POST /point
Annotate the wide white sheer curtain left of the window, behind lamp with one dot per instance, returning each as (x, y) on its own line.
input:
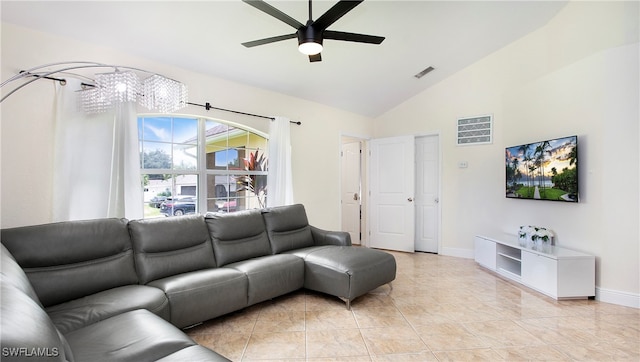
(96, 161)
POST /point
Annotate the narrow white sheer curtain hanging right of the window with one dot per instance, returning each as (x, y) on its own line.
(280, 179)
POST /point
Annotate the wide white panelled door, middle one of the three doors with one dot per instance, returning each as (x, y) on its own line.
(391, 186)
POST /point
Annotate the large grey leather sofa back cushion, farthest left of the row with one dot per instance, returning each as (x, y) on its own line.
(72, 259)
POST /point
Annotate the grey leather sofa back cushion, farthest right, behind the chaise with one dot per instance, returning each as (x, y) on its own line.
(287, 227)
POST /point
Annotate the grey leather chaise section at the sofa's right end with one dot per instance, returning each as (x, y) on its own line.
(348, 272)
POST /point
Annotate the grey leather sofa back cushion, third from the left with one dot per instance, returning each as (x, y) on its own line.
(237, 236)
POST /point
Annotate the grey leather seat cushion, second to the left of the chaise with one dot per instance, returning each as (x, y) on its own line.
(204, 294)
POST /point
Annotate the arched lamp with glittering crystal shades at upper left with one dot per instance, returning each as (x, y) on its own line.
(106, 90)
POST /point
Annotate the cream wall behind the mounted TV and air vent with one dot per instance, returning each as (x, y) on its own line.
(576, 75)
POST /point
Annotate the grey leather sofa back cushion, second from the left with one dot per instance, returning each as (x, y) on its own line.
(170, 246)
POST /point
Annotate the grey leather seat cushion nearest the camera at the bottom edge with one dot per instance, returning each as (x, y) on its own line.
(137, 336)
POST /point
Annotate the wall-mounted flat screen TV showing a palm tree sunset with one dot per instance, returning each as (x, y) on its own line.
(546, 170)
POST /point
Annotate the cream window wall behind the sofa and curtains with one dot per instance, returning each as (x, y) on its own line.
(27, 127)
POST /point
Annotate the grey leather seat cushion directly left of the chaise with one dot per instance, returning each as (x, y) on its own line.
(271, 276)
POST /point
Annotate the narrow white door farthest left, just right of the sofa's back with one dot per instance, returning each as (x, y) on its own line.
(351, 194)
